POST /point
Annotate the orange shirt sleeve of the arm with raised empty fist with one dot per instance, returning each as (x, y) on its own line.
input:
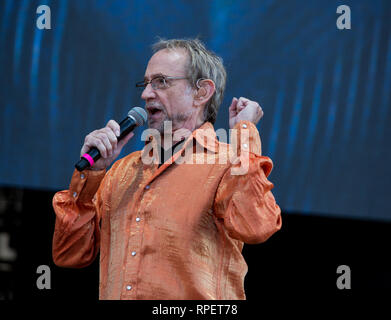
(244, 201)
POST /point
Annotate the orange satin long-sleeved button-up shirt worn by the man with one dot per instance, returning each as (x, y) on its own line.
(173, 232)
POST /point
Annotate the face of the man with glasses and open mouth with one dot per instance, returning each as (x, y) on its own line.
(174, 103)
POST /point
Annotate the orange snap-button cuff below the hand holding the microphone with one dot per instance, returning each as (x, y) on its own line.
(85, 184)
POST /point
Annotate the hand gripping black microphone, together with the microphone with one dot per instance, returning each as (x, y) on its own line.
(101, 147)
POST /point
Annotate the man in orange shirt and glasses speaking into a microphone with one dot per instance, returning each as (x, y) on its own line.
(167, 230)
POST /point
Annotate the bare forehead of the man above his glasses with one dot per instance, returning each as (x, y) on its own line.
(167, 62)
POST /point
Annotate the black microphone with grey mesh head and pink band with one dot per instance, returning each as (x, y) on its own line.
(136, 117)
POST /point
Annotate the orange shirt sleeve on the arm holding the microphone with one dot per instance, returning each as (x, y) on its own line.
(78, 211)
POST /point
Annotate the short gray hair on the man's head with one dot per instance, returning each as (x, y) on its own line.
(204, 64)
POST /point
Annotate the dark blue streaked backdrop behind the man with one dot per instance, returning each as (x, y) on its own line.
(325, 92)
